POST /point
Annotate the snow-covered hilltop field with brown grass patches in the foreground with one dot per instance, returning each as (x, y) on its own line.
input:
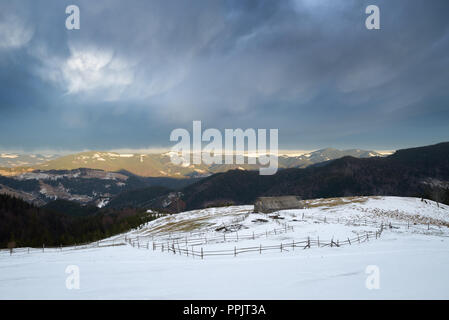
(411, 256)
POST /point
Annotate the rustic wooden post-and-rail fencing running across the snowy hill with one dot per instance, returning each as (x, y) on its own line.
(181, 243)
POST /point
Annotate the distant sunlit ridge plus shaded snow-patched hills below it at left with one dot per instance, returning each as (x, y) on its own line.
(95, 178)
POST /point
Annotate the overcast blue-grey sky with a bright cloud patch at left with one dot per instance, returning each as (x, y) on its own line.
(136, 70)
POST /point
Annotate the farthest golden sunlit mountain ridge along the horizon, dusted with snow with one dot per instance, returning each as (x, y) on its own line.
(157, 165)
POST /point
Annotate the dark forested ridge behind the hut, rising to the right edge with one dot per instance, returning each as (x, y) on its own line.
(422, 172)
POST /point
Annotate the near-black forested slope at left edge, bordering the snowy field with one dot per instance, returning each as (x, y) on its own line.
(23, 224)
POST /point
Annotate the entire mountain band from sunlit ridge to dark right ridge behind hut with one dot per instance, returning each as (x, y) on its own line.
(420, 171)
